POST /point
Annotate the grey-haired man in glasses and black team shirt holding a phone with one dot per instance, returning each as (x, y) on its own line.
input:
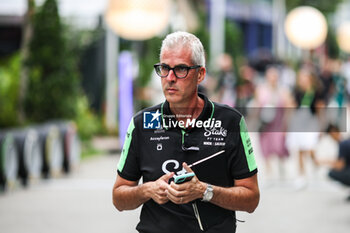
(162, 140)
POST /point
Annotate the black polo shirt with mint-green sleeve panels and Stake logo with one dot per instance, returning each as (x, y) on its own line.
(156, 143)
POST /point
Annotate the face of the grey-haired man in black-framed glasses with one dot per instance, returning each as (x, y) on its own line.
(180, 91)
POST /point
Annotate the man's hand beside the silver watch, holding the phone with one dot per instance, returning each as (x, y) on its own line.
(186, 192)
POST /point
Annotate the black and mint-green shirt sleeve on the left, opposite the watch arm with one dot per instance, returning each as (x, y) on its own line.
(128, 166)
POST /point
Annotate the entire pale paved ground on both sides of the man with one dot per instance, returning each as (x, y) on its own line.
(82, 202)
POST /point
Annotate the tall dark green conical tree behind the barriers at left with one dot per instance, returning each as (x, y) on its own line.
(54, 78)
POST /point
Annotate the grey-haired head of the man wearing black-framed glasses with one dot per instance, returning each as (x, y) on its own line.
(182, 64)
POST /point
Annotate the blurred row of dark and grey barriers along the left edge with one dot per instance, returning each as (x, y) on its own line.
(40, 151)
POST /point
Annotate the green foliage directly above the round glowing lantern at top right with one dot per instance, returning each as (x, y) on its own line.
(325, 6)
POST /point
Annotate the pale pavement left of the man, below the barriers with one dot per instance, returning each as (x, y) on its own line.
(80, 202)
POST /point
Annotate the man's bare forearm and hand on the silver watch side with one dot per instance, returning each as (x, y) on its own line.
(244, 196)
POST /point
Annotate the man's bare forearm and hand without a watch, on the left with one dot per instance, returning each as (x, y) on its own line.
(128, 195)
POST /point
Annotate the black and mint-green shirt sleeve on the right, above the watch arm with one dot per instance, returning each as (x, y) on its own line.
(243, 163)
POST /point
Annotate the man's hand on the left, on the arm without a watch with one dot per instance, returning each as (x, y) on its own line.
(157, 189)
